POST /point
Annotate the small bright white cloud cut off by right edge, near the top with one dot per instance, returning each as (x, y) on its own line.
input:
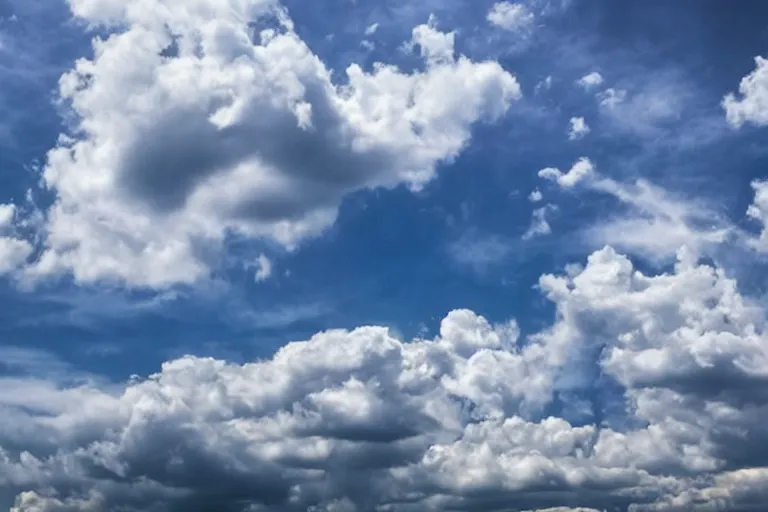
(751, 105)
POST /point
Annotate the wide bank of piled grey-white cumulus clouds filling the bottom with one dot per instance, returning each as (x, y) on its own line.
(359, 420)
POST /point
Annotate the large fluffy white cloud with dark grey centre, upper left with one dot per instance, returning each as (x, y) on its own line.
(190, 123)
